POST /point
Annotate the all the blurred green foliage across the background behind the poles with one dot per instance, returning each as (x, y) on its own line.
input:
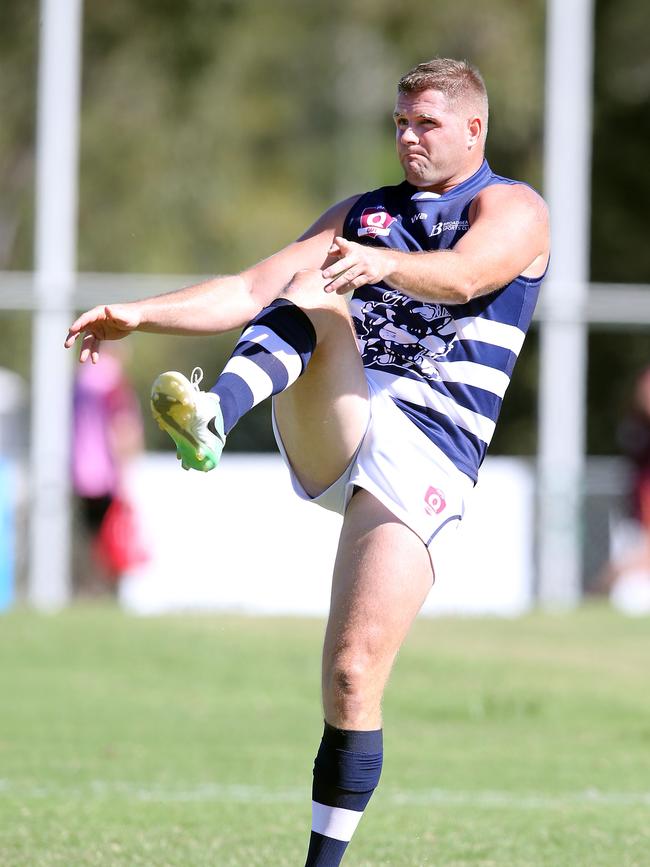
(214, 132)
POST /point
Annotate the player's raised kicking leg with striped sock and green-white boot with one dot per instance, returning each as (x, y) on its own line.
(300, 348)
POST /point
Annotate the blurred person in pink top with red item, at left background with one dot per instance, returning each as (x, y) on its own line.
(107, 435)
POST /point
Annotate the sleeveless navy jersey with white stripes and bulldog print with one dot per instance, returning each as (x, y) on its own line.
(446, 366)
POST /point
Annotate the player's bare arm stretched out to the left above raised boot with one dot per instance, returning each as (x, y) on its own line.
(216, 305)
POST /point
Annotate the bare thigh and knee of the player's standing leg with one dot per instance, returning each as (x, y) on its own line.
(381, 578)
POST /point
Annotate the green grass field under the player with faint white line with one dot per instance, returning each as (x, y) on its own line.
(189, 741)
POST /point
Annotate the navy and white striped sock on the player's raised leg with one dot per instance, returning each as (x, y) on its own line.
(272, 352)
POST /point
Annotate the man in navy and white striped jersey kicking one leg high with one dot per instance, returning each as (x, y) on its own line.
(384, 405)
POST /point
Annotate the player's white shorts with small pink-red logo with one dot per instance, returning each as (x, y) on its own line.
(403, 469)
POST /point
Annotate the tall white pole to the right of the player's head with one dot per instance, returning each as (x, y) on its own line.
(563, 347)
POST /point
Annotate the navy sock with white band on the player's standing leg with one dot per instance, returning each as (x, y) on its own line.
(346, 773)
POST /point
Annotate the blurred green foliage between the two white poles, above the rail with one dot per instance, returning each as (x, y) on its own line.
(214, 132)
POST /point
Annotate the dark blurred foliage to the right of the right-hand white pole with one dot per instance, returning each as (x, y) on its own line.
(620, 193)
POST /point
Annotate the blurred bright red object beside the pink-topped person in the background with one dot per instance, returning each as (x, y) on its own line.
(119, 545)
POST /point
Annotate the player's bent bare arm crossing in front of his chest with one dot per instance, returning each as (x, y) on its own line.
(508, 236)
